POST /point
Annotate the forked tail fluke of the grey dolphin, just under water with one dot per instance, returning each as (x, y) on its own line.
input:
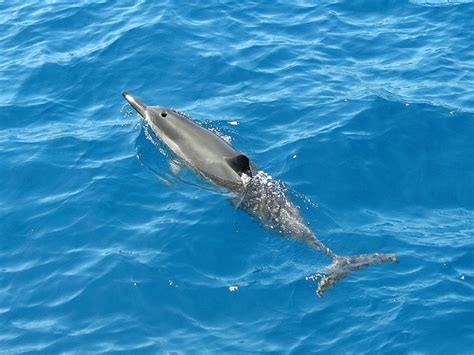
(342, 266)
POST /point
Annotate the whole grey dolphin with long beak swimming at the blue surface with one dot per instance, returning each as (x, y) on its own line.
(213, 158)
